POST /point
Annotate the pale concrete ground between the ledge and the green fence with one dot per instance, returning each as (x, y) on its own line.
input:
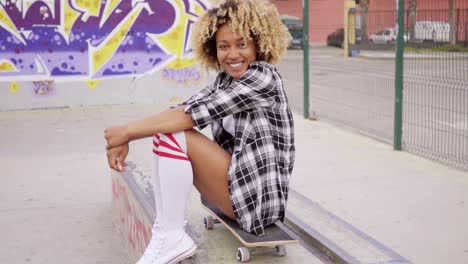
(416, 207)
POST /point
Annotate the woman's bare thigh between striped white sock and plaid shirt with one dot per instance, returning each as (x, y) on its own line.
(210, 164)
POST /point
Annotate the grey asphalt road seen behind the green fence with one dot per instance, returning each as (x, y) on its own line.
(359, 93)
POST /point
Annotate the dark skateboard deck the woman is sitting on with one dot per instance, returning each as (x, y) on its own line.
(274, 235)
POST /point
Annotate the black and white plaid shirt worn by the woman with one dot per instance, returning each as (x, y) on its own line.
(263, 147)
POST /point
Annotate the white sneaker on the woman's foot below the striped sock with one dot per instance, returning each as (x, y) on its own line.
(168, 247)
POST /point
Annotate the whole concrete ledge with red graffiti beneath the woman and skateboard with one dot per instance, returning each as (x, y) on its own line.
(324, 237)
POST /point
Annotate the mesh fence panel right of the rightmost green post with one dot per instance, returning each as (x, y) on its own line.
(435, 110)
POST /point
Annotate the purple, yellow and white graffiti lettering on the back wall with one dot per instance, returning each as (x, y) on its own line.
(92, 39)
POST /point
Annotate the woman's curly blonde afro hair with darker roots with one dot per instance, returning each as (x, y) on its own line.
(254, 19)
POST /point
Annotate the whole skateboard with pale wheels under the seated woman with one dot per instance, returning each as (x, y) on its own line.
(275, 237)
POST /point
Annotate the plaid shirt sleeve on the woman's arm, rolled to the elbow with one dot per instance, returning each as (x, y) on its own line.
(255, 89)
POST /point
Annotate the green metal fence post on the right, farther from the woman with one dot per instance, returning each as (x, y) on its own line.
(400, 45)
